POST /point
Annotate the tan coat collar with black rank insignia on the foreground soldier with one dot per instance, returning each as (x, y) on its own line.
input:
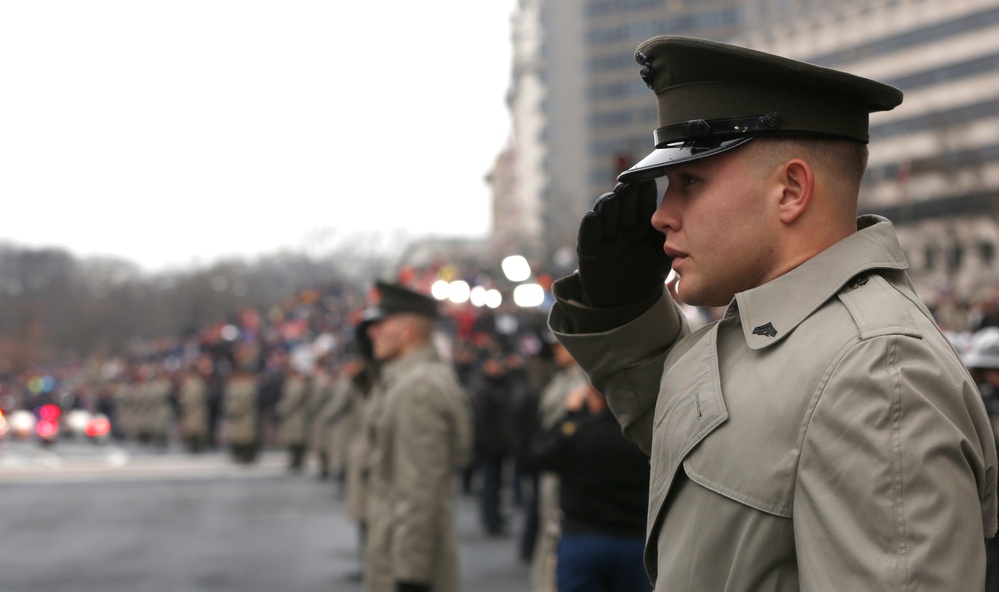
(770, 312)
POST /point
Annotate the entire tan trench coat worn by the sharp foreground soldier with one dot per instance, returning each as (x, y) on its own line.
(823, 435)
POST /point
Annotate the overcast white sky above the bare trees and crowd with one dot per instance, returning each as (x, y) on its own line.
(173, 133)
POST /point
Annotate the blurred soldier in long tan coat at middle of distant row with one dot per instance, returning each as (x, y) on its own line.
(239, 406)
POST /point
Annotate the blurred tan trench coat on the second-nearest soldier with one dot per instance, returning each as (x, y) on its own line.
(421, 435)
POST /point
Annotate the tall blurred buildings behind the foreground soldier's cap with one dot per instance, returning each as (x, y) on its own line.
(581, 114)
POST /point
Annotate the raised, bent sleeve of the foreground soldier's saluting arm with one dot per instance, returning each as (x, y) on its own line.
(624, 363)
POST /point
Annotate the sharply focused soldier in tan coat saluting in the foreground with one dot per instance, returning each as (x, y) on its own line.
(823, 434)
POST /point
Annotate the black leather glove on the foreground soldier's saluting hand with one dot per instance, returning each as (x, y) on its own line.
(621, 258)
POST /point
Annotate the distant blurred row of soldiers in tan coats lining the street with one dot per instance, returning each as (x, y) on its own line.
(152, 406)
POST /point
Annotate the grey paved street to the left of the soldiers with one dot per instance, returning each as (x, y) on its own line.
(85, 518)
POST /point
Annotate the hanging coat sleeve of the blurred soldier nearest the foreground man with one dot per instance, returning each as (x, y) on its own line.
(424, 458)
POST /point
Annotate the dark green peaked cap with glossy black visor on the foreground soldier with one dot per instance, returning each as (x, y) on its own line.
(712, 97)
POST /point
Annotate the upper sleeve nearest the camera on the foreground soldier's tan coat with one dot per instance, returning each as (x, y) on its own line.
(896, 480)
